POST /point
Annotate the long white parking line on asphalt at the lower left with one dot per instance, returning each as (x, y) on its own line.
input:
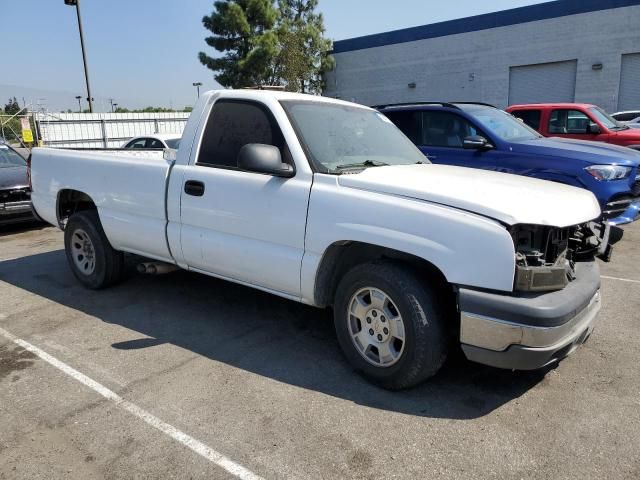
(200, 448)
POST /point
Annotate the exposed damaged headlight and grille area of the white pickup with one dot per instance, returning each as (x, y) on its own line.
(546, 256)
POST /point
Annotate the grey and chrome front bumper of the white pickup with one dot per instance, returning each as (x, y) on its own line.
(529, 331)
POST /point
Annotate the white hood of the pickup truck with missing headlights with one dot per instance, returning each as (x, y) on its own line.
(510, 199)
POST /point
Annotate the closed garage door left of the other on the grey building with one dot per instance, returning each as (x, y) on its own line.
(543, 83)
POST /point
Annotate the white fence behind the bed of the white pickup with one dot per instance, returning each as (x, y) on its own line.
(103, 130)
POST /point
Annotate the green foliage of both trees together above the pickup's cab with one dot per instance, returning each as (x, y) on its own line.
(263, 44)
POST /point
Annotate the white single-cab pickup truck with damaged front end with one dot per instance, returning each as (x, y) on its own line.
(327, 203)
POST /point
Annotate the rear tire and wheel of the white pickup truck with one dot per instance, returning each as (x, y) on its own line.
(91, 257)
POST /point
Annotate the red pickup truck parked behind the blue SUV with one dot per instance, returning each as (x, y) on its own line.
(576, 120)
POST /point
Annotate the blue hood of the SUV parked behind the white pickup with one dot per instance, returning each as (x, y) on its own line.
(591, 152)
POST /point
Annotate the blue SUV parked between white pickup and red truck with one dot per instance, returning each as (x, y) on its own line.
(481, 136)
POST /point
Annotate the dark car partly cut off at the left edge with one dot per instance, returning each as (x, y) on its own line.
(15, 193)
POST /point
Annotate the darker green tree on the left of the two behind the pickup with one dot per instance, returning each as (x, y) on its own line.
(243, 31)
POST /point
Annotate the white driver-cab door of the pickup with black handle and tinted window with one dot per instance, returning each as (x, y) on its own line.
(241, 225)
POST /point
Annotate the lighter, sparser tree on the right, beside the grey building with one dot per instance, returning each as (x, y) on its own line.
(303, 52)
